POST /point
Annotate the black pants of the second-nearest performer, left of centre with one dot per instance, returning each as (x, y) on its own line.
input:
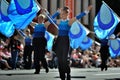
(39, 45)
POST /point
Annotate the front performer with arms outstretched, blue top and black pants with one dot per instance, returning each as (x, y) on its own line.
(62, 43)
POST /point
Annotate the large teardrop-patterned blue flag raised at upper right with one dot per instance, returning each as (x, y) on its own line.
(105, 22)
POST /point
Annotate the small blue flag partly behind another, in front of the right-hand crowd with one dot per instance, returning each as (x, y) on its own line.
(86, 43)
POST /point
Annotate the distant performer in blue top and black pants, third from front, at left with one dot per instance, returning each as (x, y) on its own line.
(27, 56)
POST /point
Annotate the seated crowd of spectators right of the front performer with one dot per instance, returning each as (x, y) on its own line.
(91, 58)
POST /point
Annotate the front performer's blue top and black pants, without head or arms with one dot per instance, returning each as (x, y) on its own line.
(61, 49)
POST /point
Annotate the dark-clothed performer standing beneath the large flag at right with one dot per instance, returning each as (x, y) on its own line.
(104, 54)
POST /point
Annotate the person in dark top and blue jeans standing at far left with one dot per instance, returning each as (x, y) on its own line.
(14, 46)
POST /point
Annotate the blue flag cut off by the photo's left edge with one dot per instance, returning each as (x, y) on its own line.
(6, 26)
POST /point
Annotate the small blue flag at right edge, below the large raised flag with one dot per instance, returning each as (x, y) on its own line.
(114, 47)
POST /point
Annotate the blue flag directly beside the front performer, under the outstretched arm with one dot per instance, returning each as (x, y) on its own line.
(77, 34)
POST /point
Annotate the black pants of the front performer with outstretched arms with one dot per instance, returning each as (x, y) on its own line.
(62, 51)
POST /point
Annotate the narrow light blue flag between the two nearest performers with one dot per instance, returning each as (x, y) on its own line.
(50, 39)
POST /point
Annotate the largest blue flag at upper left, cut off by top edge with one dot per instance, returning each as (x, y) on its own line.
(22, 12)
